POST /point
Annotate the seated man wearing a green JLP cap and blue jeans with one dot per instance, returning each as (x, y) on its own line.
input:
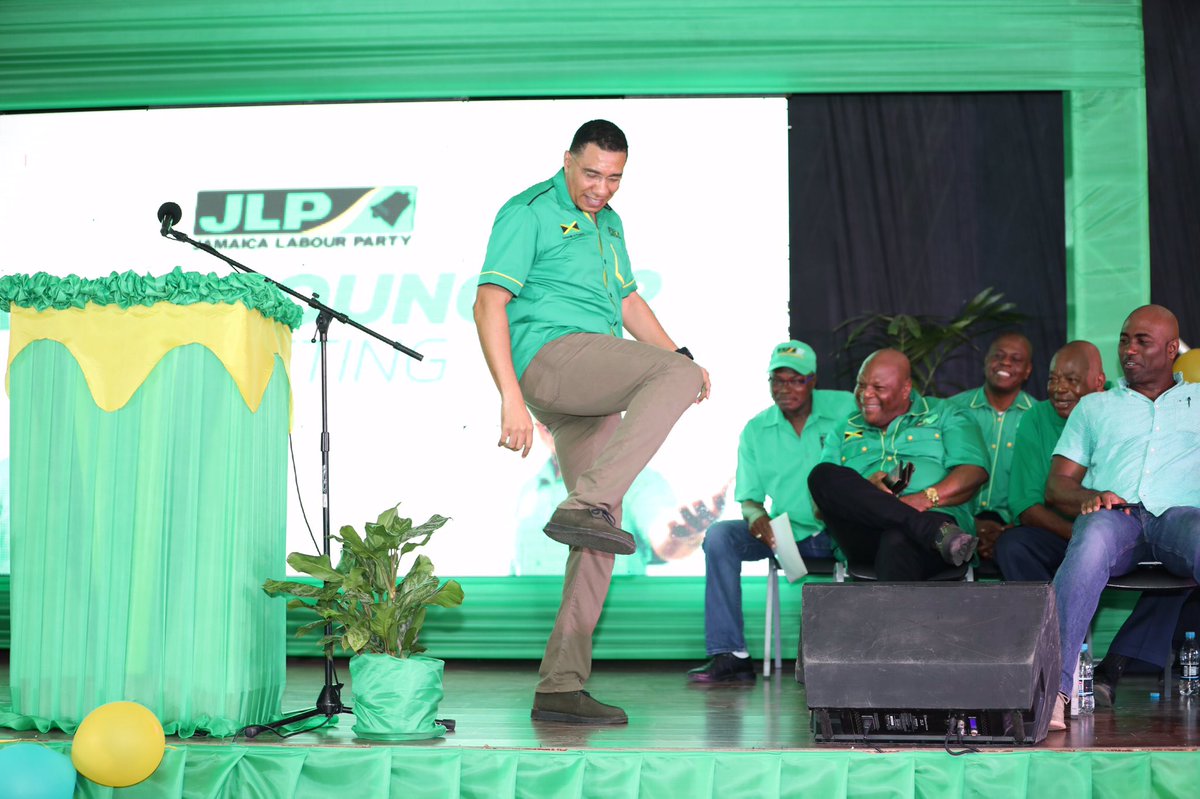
(776, 453)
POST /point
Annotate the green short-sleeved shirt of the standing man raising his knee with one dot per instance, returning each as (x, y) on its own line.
(567, 272)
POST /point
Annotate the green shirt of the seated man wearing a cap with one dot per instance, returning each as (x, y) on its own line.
(775, 462)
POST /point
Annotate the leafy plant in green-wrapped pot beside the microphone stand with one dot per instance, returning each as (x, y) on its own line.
(379, 617)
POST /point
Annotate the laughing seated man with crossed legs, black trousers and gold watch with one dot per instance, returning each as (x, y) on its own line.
(914, 536)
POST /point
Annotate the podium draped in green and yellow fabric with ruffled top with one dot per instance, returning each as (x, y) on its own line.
(149, 456)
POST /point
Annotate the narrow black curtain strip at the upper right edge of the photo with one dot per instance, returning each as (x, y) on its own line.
(1173, 106)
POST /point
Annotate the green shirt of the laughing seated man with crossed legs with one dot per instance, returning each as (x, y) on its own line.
(934, 436)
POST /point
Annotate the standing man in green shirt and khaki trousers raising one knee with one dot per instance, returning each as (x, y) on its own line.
(555, 293)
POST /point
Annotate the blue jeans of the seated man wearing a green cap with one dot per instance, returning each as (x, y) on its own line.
(727, 546)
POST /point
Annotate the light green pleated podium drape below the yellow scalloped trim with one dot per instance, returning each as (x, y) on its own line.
(146, 536)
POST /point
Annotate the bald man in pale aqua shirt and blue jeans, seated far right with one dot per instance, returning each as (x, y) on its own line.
(1129, 464)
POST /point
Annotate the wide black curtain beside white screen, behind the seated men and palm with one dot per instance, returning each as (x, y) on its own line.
(915, 203)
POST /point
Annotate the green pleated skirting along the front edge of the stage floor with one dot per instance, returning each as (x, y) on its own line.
(202, 772)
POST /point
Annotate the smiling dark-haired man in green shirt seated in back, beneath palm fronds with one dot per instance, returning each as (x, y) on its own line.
(998, 407)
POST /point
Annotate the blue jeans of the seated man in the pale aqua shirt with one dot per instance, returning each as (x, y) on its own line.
(1112, 543)
